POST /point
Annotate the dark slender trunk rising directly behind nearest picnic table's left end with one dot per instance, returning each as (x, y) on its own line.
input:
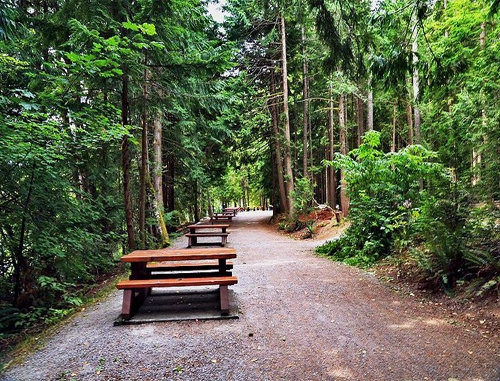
(129, 216)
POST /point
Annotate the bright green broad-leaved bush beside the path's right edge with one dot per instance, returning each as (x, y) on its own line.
(384, 190)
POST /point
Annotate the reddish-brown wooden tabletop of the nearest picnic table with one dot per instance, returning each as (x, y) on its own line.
(179, 254)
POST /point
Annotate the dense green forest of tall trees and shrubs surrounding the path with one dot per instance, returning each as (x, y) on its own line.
(120, 121)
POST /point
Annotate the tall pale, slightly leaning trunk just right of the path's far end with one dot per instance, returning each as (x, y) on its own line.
(287, 140)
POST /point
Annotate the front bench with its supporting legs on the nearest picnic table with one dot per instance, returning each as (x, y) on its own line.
(132, 286)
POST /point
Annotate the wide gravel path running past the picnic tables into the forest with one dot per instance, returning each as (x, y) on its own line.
(301, 318)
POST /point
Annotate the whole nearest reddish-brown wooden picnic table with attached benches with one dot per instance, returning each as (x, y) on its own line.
(141, 281)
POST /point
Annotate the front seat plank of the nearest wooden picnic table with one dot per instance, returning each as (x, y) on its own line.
(180, 282)
